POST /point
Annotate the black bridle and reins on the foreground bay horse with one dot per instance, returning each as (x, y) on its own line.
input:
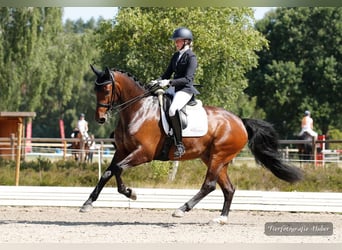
(119, 107)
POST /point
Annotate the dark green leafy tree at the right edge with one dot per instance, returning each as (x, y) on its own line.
(302, 70)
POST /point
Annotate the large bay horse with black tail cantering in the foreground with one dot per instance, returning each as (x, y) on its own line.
(139, 138)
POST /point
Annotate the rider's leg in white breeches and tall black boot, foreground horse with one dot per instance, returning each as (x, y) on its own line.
(180, 99)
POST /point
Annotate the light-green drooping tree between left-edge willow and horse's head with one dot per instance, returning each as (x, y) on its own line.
(71, 91)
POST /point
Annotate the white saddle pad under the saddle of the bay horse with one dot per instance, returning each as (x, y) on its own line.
(197, 121)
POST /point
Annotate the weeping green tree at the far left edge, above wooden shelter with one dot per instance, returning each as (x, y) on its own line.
(26, 71)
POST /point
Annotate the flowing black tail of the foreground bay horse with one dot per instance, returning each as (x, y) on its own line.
(263, 142)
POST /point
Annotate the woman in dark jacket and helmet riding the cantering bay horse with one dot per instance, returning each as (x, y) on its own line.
(183, 65)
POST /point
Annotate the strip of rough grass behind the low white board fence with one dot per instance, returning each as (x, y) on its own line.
(190, 174)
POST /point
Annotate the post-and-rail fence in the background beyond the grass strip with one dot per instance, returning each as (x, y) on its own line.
(57, 148)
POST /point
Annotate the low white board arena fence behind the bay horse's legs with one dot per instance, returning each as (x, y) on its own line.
(171, 199)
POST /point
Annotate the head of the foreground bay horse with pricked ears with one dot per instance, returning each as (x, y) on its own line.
(105, 93)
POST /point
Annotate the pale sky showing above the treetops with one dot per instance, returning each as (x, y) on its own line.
(86, 13)
